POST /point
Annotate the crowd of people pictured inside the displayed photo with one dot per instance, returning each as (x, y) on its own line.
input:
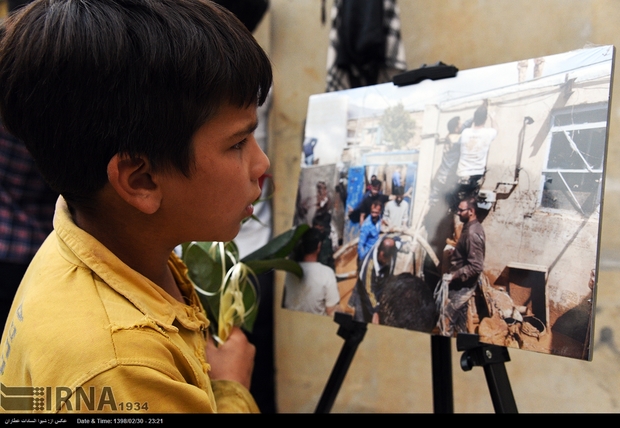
(437, 300)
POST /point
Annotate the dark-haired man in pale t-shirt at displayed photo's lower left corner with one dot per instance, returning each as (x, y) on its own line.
(317, 291)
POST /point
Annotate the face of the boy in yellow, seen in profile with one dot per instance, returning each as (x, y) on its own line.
(212, 202)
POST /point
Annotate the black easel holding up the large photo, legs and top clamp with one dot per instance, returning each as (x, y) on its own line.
(490, 357)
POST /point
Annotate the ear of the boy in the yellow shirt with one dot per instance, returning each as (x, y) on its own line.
(132, 179)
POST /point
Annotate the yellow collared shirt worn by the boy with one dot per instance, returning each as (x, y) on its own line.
(88, 333)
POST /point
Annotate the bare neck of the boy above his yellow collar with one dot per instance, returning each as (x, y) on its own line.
(134, 238)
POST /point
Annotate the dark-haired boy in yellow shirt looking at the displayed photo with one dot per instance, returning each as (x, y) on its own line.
(140, 113)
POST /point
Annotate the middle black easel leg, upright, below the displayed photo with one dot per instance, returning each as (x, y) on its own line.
(441, 356)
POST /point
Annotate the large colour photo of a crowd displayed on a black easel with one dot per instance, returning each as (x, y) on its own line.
(464, 205)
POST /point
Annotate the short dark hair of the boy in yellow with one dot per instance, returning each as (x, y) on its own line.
(83, 80)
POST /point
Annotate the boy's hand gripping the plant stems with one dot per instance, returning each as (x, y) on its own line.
(232, 360)
